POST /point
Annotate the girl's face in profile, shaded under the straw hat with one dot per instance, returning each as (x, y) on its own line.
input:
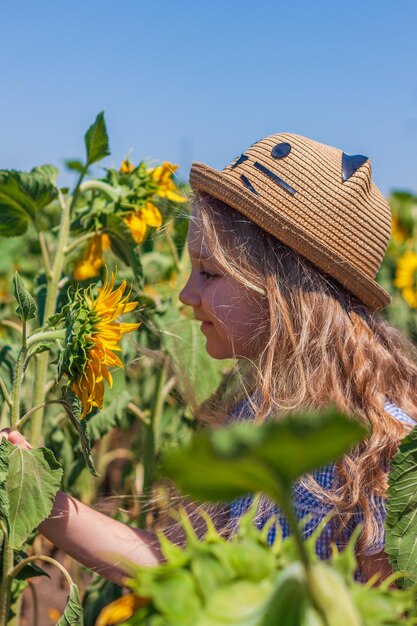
(231, 314)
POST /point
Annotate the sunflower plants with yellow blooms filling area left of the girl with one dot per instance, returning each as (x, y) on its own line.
(97, 357)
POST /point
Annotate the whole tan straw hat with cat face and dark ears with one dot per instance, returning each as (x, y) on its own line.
(317, 200)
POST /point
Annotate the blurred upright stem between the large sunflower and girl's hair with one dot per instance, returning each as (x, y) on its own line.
(149, 457)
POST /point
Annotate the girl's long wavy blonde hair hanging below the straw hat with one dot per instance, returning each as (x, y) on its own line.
(324, 347)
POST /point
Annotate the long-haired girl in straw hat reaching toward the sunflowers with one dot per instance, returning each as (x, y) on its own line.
(285, 244)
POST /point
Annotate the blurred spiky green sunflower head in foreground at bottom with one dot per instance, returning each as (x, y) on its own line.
(242, 581)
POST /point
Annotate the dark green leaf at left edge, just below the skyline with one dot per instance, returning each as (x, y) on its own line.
(22, 195)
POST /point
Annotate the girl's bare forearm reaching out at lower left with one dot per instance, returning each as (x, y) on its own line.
(96, 540)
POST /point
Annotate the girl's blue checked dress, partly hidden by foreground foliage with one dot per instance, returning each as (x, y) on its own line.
(306, 503)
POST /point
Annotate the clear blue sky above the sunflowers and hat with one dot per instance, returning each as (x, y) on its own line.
(190, 80)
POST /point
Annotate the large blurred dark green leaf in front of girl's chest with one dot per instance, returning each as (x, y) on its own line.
(244, 458)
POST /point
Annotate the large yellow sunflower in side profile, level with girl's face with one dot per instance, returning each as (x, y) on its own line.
(94, 339)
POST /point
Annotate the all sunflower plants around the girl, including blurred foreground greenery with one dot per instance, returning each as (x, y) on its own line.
(102, 369)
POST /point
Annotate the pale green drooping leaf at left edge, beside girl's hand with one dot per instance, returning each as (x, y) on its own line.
(33, 479)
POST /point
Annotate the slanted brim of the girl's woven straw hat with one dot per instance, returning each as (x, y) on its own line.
(217, 184)
